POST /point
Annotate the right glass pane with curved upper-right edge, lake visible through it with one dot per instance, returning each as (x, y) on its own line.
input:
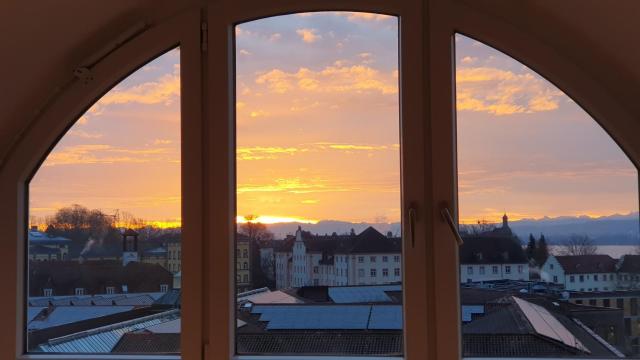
(549, 215)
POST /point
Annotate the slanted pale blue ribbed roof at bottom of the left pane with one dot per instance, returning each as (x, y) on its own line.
(103, 339)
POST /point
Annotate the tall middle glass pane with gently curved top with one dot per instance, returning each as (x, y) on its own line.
(318, 253)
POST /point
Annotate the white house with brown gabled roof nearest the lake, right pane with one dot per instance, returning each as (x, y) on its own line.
(581, 272)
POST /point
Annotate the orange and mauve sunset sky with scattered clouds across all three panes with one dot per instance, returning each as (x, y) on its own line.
(317, 126)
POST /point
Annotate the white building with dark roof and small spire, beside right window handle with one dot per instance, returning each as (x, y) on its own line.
(493, 255)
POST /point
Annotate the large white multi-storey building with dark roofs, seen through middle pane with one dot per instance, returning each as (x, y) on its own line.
(367, 258)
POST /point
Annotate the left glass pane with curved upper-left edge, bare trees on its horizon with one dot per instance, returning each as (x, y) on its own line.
(104, 216)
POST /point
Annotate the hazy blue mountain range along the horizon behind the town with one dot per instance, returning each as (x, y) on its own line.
(607, 230)
